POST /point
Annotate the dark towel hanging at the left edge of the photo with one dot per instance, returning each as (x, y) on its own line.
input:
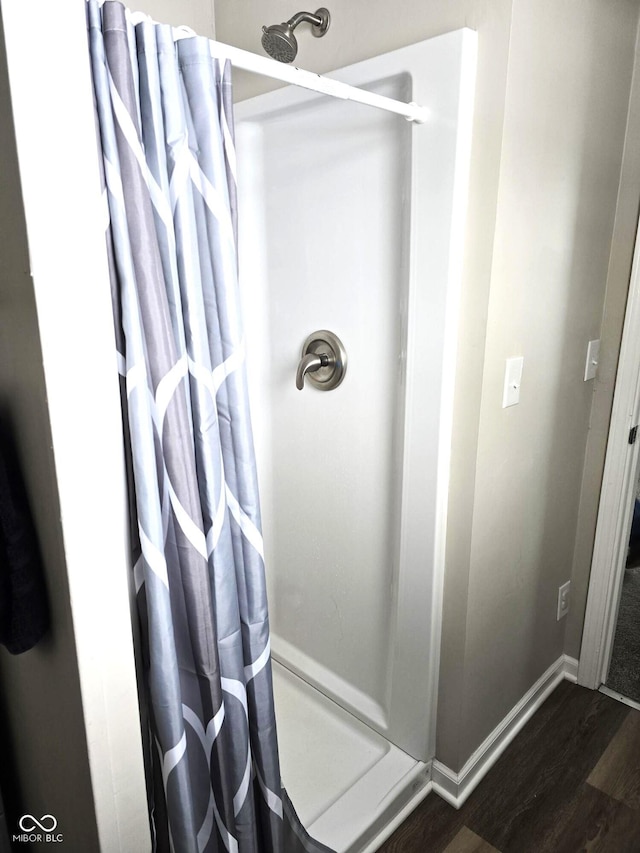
(24, 613)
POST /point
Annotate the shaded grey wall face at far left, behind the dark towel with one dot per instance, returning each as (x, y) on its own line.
(40, 689)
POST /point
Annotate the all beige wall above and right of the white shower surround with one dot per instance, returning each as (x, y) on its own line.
(552, 97)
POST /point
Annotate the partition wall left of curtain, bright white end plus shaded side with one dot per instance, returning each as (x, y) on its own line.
(70, 742)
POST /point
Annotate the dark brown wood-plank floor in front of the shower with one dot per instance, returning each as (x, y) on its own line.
(569, 782)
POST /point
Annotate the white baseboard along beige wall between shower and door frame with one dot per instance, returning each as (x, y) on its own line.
(456, 787)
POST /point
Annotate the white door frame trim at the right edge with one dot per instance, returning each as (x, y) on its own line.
(616, 500)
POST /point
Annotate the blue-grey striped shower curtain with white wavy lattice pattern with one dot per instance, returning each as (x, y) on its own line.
(166, 132)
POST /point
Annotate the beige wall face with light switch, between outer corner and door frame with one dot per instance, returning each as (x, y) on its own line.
(568, 89)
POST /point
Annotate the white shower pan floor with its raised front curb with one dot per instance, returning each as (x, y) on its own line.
(347, 783)
